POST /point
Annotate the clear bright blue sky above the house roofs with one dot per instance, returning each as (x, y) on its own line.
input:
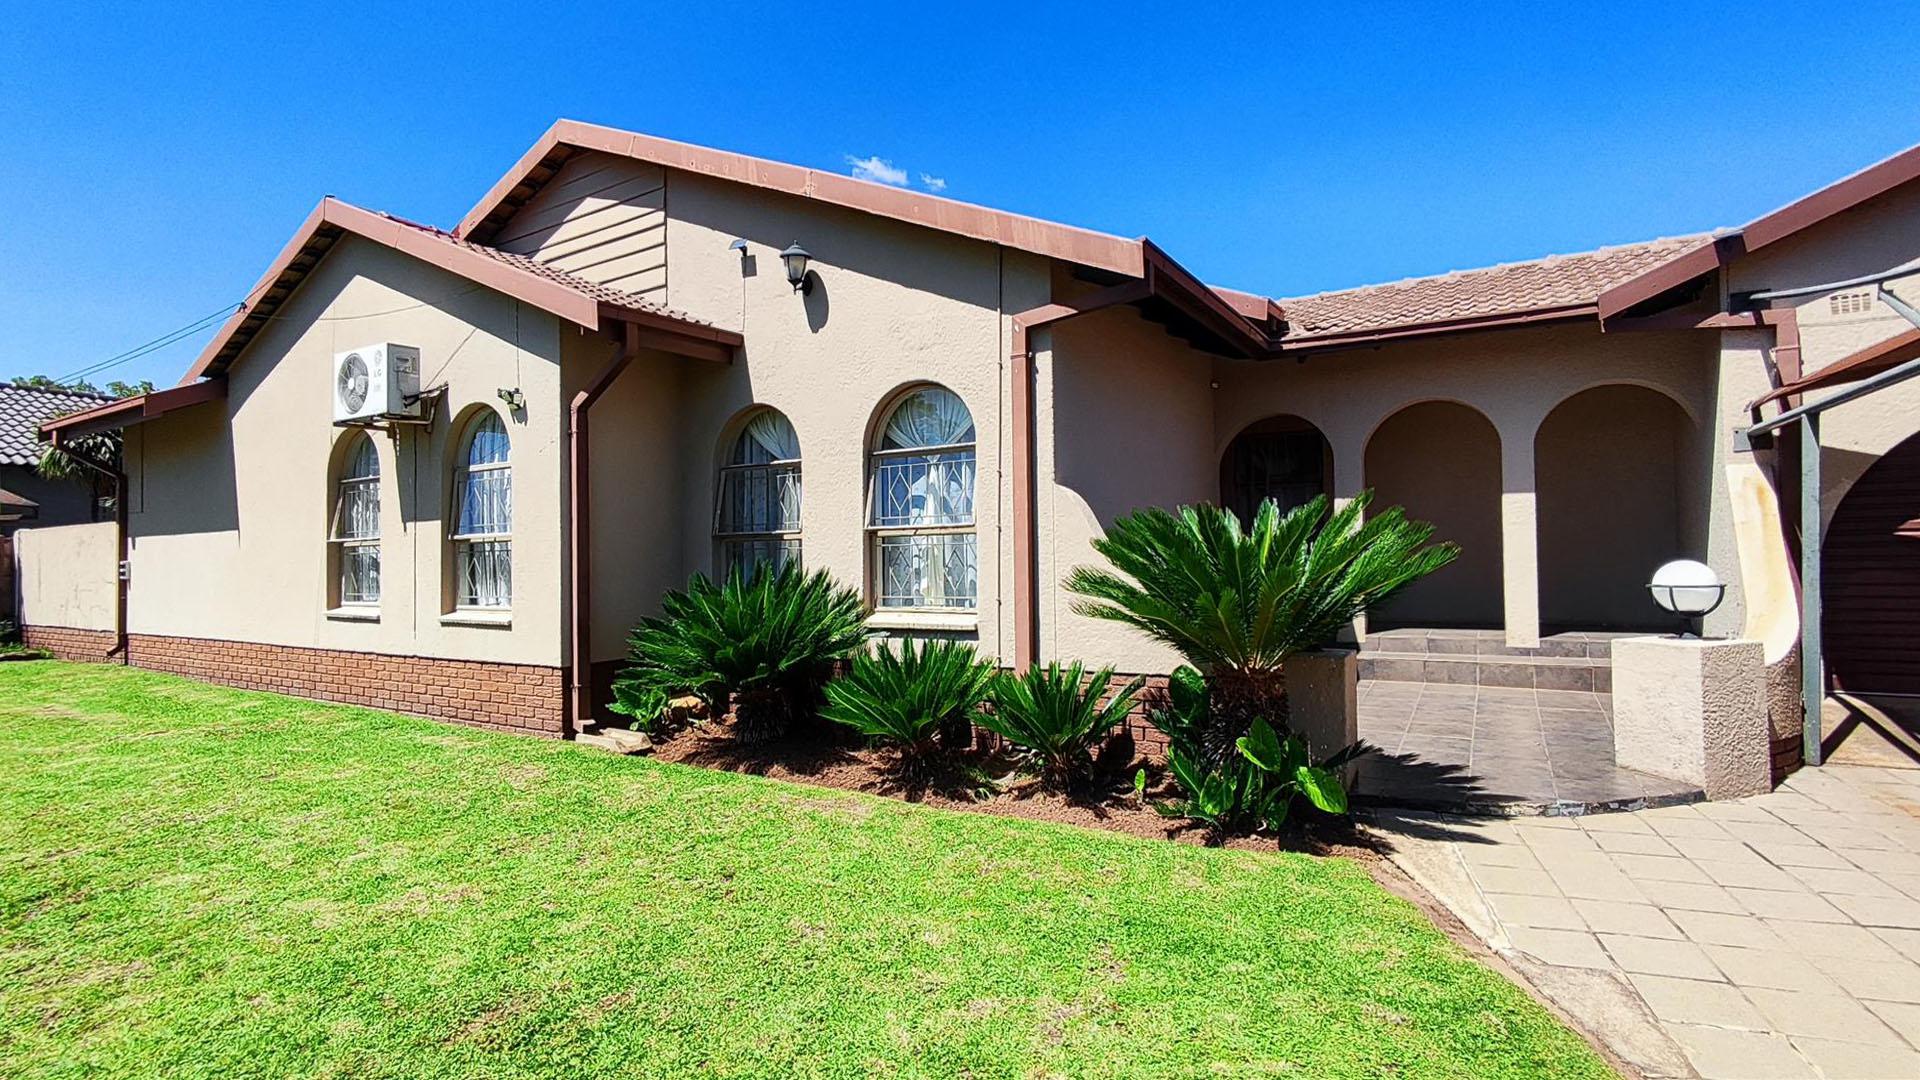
(158, 159)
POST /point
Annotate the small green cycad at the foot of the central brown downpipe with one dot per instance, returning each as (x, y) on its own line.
(1059, 716)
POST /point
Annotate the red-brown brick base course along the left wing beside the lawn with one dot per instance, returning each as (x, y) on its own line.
(500, 697)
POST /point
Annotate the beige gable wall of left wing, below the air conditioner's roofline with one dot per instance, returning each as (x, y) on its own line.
(231, 501)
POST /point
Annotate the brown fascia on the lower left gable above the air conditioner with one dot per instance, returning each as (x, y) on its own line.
(333, 218)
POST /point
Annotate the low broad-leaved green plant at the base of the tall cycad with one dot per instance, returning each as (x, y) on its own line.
(1257, 789)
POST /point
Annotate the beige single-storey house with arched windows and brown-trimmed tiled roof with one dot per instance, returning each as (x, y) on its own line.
(636, 356)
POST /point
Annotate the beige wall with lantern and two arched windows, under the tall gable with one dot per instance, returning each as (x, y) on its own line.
(892, 307)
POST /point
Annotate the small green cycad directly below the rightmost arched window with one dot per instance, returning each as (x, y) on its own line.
(911, 695)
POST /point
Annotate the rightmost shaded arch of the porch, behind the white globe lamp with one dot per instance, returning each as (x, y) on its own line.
(1612, 487)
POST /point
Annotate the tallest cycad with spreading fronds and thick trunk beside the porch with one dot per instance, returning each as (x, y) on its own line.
(1237, 602)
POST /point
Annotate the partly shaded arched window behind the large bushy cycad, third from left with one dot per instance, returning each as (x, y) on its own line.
(757, 516)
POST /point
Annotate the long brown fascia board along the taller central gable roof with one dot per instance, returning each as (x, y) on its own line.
(1051, 239)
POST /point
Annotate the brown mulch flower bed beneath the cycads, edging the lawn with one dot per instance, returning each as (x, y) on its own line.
(988, 779)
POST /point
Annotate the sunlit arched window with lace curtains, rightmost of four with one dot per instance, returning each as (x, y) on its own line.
(923, 506)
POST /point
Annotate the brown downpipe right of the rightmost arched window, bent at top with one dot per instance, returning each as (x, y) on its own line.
(1026, 466)
